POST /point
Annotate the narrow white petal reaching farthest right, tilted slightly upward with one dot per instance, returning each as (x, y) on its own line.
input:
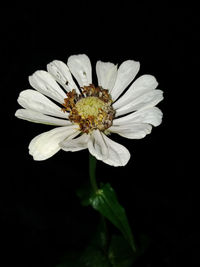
(148, 99)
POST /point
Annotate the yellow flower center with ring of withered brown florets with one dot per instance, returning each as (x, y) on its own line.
(91, 110)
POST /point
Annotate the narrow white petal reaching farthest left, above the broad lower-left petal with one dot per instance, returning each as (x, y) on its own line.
(34, 116)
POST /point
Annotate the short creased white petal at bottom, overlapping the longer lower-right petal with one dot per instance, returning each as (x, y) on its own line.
(97, 146)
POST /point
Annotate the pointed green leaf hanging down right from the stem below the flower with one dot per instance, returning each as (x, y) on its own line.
(105, 201)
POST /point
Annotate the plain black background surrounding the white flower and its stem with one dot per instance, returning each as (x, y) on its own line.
(40, 213)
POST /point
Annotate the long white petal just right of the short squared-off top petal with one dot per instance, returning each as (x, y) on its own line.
(126, 73)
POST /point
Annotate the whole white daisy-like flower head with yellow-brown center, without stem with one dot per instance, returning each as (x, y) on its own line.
(89, 114)
